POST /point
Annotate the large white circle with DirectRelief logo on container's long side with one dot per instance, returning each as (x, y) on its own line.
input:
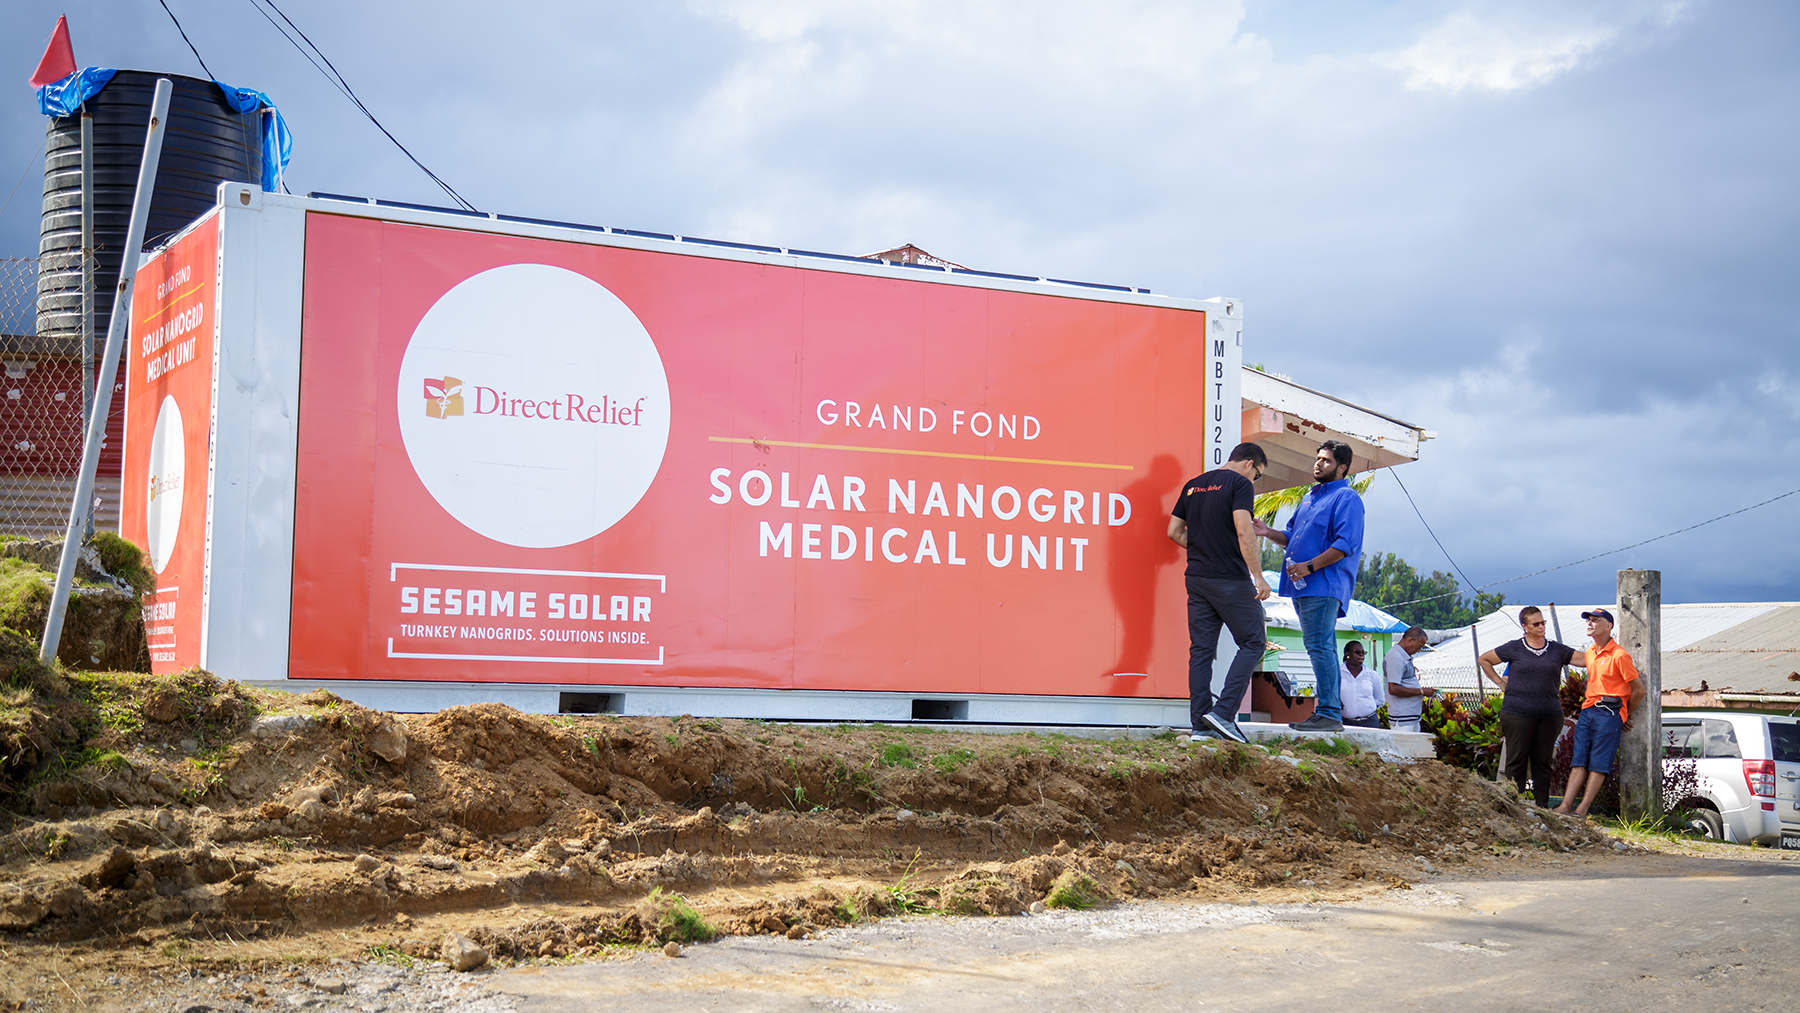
(534, 406)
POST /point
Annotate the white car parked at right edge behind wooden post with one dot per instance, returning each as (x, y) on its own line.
(1747, 771)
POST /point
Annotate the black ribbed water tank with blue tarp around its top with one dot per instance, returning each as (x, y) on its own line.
(206, 143)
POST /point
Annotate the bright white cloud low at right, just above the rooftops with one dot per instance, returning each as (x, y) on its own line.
(1525, 480)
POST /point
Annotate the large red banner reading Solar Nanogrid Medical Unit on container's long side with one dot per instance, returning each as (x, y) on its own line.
(535, 462)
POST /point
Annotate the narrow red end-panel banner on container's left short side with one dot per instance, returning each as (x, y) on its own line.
(170, 436)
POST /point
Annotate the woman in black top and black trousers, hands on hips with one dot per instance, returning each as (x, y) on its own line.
(1531, 719)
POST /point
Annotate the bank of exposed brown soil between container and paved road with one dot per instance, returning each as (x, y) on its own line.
(186, 821)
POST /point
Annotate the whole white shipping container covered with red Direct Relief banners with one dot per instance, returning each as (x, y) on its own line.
(433, 458)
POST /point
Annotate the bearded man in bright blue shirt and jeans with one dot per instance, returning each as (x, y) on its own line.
(1324, 551)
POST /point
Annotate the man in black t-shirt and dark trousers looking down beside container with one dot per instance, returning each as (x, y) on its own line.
(1225, 586)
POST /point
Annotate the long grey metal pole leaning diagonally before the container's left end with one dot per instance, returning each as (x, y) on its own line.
(109, 370)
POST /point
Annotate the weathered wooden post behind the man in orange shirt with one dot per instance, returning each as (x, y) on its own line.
(1641, 634)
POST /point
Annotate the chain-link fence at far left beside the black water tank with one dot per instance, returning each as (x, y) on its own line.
(40, 413)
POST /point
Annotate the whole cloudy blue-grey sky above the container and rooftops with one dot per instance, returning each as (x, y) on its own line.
(1560, 235)
